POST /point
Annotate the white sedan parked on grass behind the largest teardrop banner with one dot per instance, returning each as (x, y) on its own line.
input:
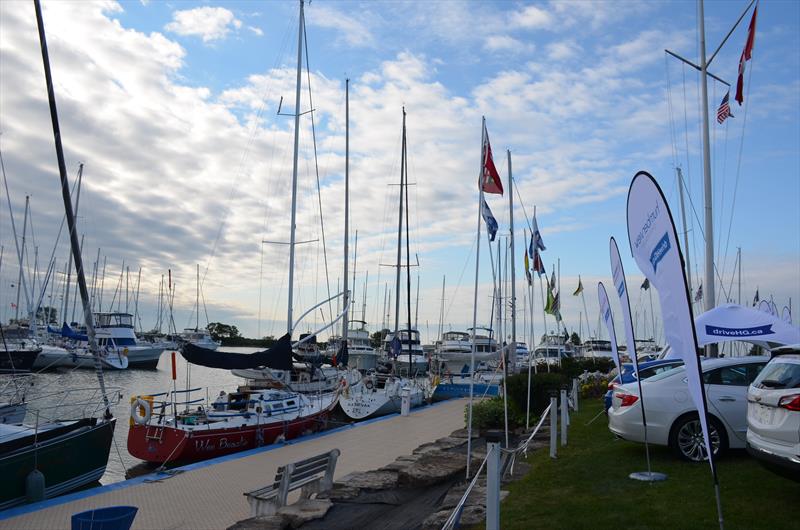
(672, 418)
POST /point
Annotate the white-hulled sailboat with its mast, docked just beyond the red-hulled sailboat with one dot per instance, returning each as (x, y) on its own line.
(378, 394)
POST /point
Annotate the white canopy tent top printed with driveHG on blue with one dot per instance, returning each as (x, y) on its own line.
(731, 322)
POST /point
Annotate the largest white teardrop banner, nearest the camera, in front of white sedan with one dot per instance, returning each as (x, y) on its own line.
(654, 245)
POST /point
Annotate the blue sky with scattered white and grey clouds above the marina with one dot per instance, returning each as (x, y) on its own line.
(172, 107)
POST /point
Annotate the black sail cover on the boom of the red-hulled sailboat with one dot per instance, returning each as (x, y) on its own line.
(279, 357)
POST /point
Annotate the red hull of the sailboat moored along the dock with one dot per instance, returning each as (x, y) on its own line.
(161, 444)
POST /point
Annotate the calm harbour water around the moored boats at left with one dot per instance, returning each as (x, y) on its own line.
(126, 383)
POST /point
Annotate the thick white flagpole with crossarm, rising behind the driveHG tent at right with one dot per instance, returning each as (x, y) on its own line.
(709, 296)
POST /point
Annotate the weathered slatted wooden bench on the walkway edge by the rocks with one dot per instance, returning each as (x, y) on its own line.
(312, 475)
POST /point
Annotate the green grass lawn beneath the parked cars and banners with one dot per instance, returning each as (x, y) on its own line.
(588, 487)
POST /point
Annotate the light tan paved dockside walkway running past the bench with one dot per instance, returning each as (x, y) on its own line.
(211, 497)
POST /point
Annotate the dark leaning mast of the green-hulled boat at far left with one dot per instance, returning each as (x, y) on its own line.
(62, 170)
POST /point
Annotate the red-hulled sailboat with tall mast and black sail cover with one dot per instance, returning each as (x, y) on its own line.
(255, 414)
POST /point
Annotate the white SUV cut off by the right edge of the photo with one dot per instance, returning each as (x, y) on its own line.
(773, 414)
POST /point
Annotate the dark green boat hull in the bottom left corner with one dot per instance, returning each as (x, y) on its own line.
(68, 461)
